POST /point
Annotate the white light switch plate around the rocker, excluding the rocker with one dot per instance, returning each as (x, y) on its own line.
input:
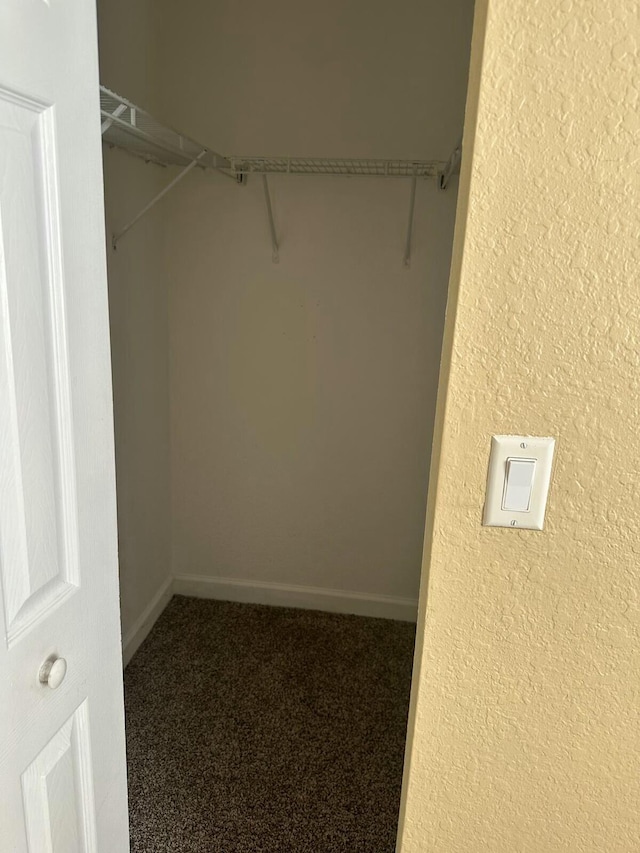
(504, 448)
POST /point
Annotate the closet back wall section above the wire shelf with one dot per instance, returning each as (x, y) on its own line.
(341, 78)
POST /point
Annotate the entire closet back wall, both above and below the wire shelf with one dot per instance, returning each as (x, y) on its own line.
(303, 393)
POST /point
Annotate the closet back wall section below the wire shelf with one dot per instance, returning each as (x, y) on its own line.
(302, 393)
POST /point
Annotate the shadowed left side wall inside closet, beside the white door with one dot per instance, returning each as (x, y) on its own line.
(139, 321)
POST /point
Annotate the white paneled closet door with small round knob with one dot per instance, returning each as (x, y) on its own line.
(62, 755)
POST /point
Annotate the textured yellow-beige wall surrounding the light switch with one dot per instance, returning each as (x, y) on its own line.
(525, 723)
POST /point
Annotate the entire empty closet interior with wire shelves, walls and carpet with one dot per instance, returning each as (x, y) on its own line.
(280, 193)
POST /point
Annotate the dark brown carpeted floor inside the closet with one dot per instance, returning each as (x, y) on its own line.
(257, 729)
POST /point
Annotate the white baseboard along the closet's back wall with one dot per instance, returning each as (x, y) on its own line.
(289, 595)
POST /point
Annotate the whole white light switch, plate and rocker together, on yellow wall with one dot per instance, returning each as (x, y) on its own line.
(518, 481)
